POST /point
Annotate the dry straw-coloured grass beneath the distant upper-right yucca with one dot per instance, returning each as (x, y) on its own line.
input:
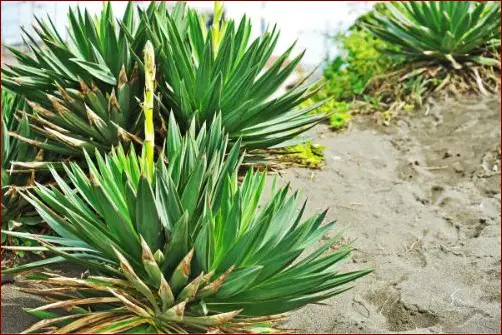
(413, 86)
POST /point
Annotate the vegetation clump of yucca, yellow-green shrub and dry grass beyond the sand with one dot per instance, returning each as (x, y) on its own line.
(399, 53)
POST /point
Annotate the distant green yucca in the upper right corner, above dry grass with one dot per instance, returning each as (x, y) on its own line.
(447, 31)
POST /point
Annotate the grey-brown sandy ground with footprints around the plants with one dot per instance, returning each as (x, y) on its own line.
(422, 200)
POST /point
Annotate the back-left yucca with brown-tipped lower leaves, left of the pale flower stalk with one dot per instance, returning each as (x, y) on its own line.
(83, 90)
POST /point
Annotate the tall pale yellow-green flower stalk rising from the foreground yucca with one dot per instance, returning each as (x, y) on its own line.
(149, 59)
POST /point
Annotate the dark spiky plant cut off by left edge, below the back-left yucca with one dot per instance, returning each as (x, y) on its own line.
(16, 210)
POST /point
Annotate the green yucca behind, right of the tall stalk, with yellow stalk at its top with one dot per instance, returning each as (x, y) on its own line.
(203, 72)
